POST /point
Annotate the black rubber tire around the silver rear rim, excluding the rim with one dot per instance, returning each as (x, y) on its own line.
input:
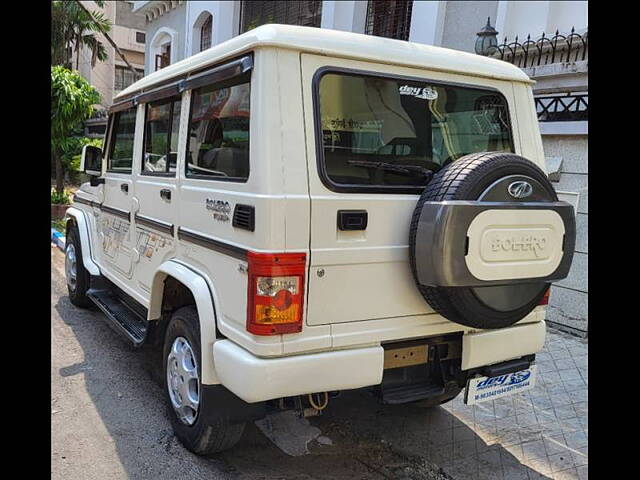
(205, 436)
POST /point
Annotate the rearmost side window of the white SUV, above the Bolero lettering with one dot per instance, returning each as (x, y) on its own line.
(218, 145)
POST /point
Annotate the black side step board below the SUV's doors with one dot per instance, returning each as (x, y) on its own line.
(122, 318)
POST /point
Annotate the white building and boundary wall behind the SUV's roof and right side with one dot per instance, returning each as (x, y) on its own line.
(547, 39)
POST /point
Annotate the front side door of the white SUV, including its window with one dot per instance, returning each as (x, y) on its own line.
(115, 219)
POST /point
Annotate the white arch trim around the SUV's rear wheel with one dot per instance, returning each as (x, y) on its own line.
(203, 298)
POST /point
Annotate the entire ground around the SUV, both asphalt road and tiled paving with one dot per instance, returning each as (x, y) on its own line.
(109, 420)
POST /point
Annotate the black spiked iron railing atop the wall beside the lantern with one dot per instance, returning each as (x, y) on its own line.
(558, 48)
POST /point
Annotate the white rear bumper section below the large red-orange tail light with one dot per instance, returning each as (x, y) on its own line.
(255, 379)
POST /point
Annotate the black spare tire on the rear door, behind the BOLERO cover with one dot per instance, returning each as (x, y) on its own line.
(486, 177)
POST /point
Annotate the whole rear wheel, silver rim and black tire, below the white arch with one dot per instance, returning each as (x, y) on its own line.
(199, 433)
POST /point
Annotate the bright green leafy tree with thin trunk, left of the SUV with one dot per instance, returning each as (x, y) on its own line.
(72, 101)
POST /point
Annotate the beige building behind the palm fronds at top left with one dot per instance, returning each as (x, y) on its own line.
(113, 75)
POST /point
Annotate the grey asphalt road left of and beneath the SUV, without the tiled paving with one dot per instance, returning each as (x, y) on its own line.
(109, 419)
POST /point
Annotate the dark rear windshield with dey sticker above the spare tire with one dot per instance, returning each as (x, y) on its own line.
(386, 132)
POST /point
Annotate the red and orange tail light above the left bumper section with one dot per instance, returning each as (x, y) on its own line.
(276, 293)
